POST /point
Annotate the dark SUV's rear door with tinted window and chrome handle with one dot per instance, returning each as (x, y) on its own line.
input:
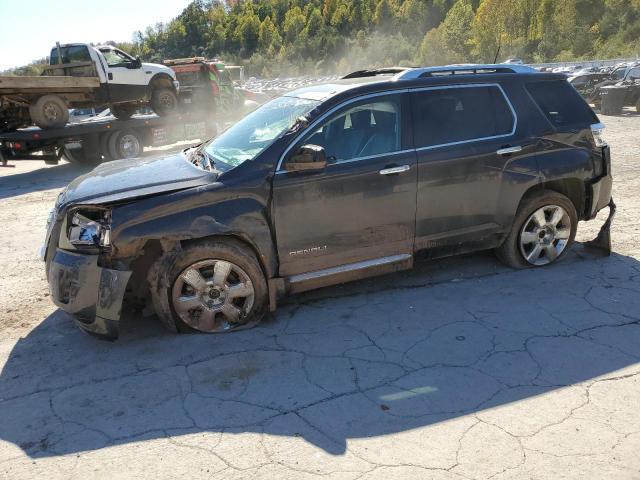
(465, 137)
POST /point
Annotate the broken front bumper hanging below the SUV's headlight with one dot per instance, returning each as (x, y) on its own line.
(92, 294)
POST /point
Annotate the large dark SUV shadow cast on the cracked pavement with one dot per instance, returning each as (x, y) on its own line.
(361, 361)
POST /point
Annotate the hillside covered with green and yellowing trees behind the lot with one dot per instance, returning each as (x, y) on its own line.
(276, 37)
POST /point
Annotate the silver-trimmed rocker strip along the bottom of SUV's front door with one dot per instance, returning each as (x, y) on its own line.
(349, 272)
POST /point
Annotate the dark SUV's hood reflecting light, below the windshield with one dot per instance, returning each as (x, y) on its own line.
(126, 179)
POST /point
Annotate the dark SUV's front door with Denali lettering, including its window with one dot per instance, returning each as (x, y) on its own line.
(362, 205)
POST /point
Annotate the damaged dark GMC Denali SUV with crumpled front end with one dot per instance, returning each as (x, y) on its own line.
(328, 184)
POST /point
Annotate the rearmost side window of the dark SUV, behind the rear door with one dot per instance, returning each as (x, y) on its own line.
(562, 105)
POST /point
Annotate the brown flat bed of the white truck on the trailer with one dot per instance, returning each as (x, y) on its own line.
(46, 84)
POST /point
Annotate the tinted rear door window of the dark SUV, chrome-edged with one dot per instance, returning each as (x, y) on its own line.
(460, 114)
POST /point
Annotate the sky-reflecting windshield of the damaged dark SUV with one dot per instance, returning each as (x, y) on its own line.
(255, 132)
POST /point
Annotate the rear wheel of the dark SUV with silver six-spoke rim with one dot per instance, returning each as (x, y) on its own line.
(542, 233)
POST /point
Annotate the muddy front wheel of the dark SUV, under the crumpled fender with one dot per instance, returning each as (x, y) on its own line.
(213, 286)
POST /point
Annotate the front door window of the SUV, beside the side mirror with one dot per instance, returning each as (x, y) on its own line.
(367, 129)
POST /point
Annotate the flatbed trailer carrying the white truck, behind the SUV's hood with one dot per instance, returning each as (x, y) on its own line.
(98, 140)
